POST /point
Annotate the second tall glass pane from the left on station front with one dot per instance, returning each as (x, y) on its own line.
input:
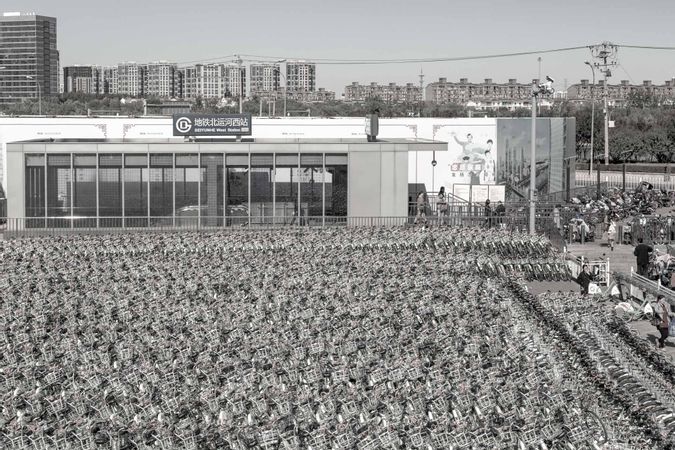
(58, 189)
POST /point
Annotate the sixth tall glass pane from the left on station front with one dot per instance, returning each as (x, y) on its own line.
(161, 189)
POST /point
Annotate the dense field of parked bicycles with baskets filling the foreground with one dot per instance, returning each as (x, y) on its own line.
(313, 339)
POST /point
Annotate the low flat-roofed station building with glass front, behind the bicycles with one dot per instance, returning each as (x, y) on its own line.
(110, 183)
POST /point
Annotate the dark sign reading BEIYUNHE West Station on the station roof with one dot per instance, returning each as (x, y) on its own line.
(212, 125)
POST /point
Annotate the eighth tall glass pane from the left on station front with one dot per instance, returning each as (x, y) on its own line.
(212, 190)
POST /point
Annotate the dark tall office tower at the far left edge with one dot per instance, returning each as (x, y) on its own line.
(28, 57)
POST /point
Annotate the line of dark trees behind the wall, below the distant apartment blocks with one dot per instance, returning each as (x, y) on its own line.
(644, 128)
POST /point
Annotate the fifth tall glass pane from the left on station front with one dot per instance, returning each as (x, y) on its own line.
(136, 190)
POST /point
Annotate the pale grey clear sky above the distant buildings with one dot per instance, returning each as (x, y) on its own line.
(108, 32)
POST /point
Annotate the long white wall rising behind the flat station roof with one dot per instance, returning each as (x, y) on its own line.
(420, 169)
